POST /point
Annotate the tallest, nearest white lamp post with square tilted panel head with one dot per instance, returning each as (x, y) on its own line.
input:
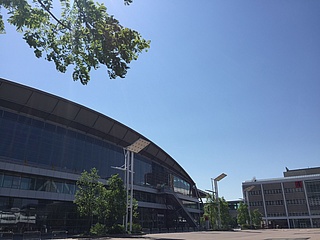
(129, 151)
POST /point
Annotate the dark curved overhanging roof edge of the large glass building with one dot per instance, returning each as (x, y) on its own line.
(49, 107)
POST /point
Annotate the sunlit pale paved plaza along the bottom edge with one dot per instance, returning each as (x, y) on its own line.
(270, 234)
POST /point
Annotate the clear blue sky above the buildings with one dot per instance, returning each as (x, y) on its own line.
(227, 86)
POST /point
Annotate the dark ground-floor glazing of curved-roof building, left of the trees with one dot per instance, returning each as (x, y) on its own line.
(20, 214)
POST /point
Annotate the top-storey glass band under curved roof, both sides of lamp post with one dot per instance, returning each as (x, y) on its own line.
(39, 143)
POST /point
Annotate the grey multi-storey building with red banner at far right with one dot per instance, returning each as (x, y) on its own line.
(292, 201)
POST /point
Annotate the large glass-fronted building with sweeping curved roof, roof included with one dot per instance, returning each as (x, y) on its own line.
(47, 141)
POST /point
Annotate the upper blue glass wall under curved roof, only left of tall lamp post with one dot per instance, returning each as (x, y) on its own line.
(44, 144)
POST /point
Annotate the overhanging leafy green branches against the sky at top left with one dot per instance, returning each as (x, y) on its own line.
(84, 35)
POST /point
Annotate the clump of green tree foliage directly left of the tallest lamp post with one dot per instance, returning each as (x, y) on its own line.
(104, 206)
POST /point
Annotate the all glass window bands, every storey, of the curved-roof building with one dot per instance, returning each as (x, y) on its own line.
(29, 141)
